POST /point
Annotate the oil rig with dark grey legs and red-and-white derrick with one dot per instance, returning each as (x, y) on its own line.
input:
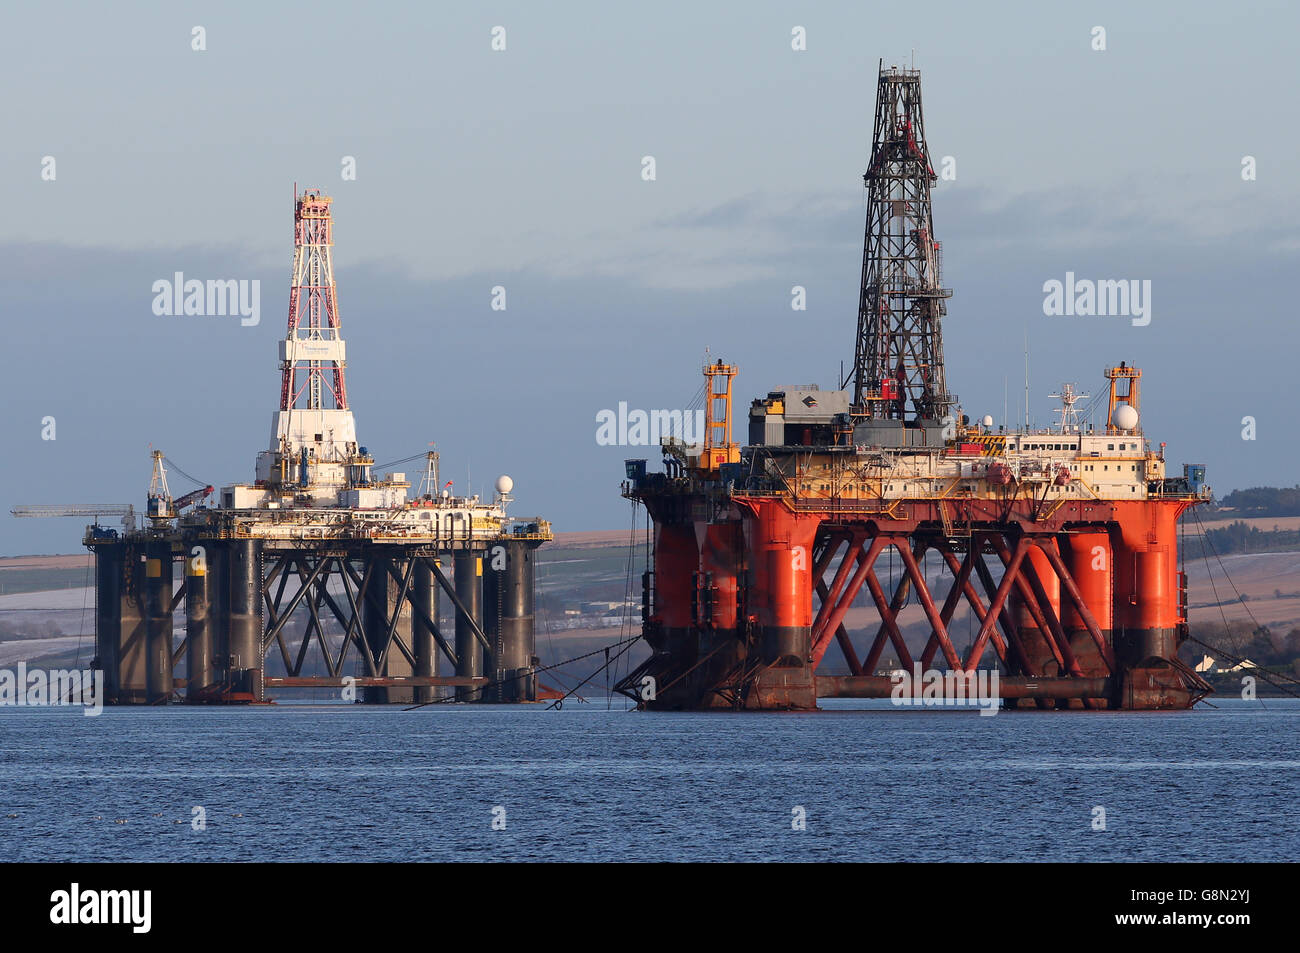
(319, 538)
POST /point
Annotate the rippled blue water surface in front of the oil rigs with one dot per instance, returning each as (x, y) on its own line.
(346, 783)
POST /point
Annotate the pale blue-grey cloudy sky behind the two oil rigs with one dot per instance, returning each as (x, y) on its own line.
(522, 168)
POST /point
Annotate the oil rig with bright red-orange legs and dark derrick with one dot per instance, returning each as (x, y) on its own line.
(1063, 543)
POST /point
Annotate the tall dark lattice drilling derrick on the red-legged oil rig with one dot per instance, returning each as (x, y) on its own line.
(899, 361)
